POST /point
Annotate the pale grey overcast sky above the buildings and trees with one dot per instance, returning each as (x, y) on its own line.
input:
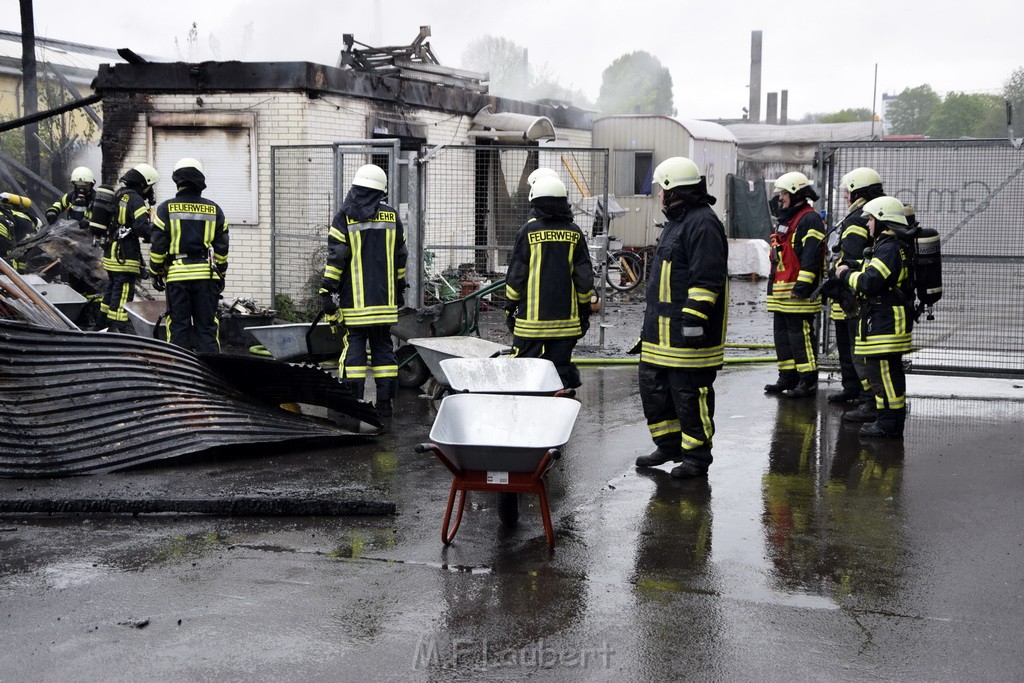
(823, 53)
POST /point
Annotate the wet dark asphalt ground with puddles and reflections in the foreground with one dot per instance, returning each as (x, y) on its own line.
(808, 553)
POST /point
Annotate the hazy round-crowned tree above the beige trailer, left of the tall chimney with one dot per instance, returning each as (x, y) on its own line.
(636, 83)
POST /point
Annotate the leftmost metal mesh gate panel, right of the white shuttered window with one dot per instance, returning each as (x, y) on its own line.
(310, 184)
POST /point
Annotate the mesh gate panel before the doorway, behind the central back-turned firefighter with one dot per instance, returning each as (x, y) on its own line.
(477, 198)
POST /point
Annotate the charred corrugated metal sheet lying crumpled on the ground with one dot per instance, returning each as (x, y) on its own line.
(77, 403)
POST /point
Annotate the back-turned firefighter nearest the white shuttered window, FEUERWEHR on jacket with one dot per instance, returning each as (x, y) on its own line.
(190, 259)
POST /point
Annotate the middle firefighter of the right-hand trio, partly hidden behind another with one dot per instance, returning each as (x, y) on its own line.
(860, 187)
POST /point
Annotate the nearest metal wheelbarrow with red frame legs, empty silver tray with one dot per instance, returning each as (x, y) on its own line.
(499, 443)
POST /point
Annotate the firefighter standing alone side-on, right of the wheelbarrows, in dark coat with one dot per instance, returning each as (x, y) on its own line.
(682, 344)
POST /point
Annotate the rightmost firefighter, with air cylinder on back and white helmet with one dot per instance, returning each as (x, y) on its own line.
(884, 330)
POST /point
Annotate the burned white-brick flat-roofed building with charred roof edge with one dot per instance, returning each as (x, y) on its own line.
(281, 141)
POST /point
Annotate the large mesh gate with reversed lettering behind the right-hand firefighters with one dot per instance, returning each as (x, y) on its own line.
(972, 192)
